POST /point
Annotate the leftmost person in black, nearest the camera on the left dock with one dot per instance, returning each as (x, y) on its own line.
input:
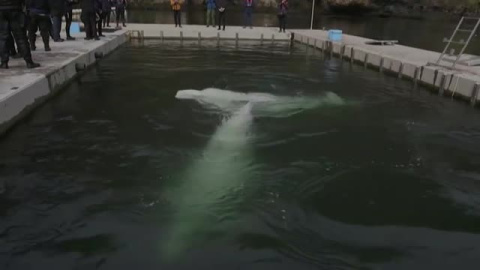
(12, 19)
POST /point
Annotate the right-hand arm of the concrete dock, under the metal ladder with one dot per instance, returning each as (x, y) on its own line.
(405, 62)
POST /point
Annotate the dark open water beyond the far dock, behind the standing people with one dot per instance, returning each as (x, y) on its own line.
(427, 31)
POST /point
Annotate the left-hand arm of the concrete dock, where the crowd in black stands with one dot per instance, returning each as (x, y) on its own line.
(21, 89)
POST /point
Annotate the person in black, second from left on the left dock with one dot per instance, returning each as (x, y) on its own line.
(39, 11)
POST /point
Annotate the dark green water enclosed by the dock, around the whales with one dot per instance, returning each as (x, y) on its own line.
(104, 174)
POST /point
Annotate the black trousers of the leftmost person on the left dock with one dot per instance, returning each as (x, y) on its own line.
(14, 21)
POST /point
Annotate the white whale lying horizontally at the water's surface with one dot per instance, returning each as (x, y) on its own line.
(263, 104)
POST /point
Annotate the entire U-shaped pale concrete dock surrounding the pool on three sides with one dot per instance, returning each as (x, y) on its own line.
(21, 90)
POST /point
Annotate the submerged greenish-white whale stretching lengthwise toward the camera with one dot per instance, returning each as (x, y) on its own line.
(209, 185)
